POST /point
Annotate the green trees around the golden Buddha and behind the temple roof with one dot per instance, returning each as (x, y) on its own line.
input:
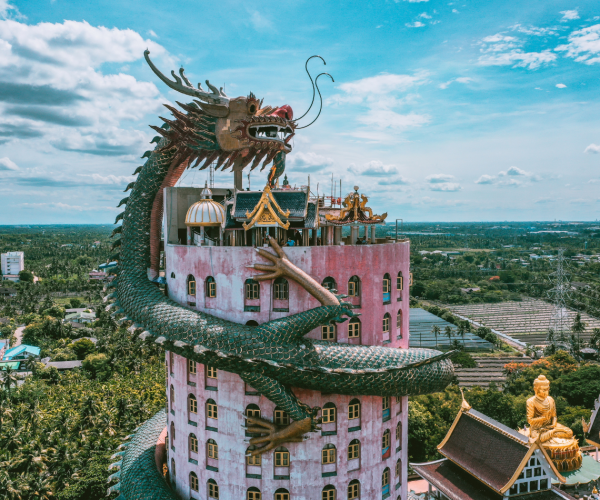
(573, 386)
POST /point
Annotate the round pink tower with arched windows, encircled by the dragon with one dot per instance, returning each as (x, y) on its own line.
(363, 451)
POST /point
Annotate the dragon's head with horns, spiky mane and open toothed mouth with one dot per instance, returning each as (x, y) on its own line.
(233, 132)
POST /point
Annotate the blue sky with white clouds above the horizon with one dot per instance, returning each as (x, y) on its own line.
(440, 111)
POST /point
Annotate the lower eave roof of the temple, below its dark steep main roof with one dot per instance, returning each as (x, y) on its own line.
(457, 484)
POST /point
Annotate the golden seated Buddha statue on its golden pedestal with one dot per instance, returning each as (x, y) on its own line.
(556, 439)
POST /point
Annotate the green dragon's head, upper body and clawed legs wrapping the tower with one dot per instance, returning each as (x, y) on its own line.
(275, 356)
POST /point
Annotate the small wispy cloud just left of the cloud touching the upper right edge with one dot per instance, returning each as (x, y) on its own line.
(503, 50)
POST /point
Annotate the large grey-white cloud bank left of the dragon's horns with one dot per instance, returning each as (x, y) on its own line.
(52, 85)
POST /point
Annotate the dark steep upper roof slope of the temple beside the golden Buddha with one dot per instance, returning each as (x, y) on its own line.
(484, 450)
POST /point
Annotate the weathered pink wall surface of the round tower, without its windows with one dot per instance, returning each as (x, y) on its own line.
(228, 266)
